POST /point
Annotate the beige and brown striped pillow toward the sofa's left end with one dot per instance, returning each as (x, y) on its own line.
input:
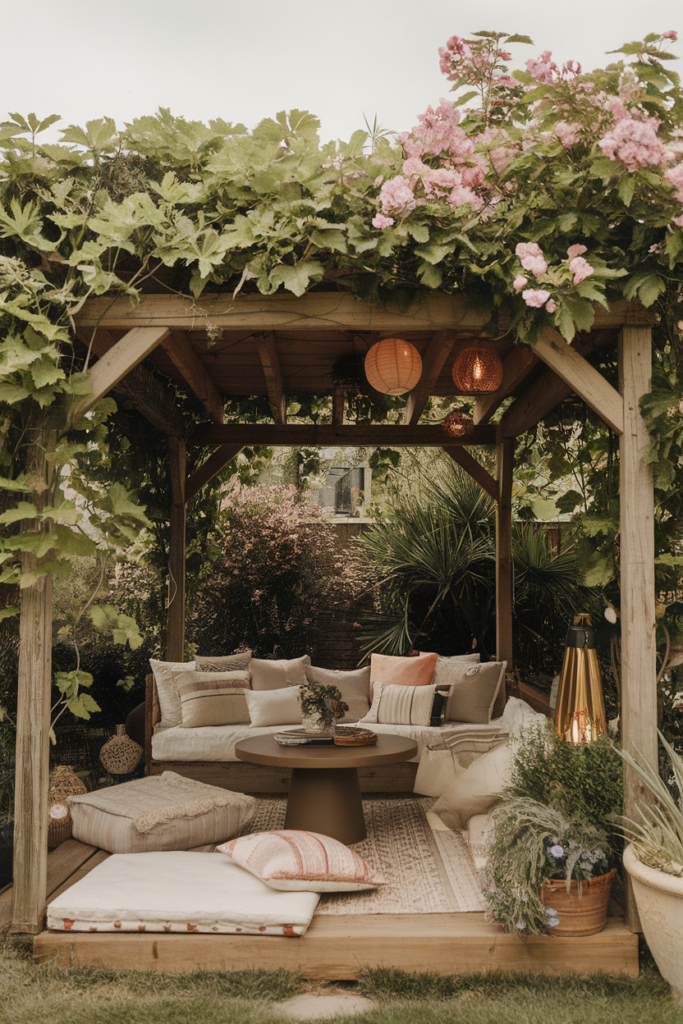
(214, 699)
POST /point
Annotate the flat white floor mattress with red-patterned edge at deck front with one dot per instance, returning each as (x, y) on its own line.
(179, 892)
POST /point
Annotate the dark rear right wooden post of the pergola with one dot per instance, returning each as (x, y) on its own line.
(505, 451)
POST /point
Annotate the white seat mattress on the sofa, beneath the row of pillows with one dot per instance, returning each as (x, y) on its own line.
(217, 743)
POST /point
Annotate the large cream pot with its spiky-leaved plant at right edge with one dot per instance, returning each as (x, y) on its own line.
(655, 862)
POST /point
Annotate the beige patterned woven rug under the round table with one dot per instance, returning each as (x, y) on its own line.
(428, 872)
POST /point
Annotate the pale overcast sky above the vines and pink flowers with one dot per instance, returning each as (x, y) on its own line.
(246, 60)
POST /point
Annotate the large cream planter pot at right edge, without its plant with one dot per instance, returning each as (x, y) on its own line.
(660, 902)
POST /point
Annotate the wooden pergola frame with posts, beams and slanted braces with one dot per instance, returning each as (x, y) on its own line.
(280, 346)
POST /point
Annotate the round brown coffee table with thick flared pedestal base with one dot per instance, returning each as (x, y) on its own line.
(325, 794)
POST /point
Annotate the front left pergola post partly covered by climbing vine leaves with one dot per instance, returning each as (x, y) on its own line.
(33, 727)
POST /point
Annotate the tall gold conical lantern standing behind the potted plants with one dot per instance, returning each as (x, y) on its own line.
(580, 716)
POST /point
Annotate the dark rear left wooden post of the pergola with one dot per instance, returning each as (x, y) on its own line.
(176, 635)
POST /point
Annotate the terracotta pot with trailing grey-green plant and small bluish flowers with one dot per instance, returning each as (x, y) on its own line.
(550, 875)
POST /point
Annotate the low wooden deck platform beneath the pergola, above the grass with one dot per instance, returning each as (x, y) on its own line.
(334, 948)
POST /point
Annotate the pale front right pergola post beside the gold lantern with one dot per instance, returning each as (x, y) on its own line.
(639, 708)
